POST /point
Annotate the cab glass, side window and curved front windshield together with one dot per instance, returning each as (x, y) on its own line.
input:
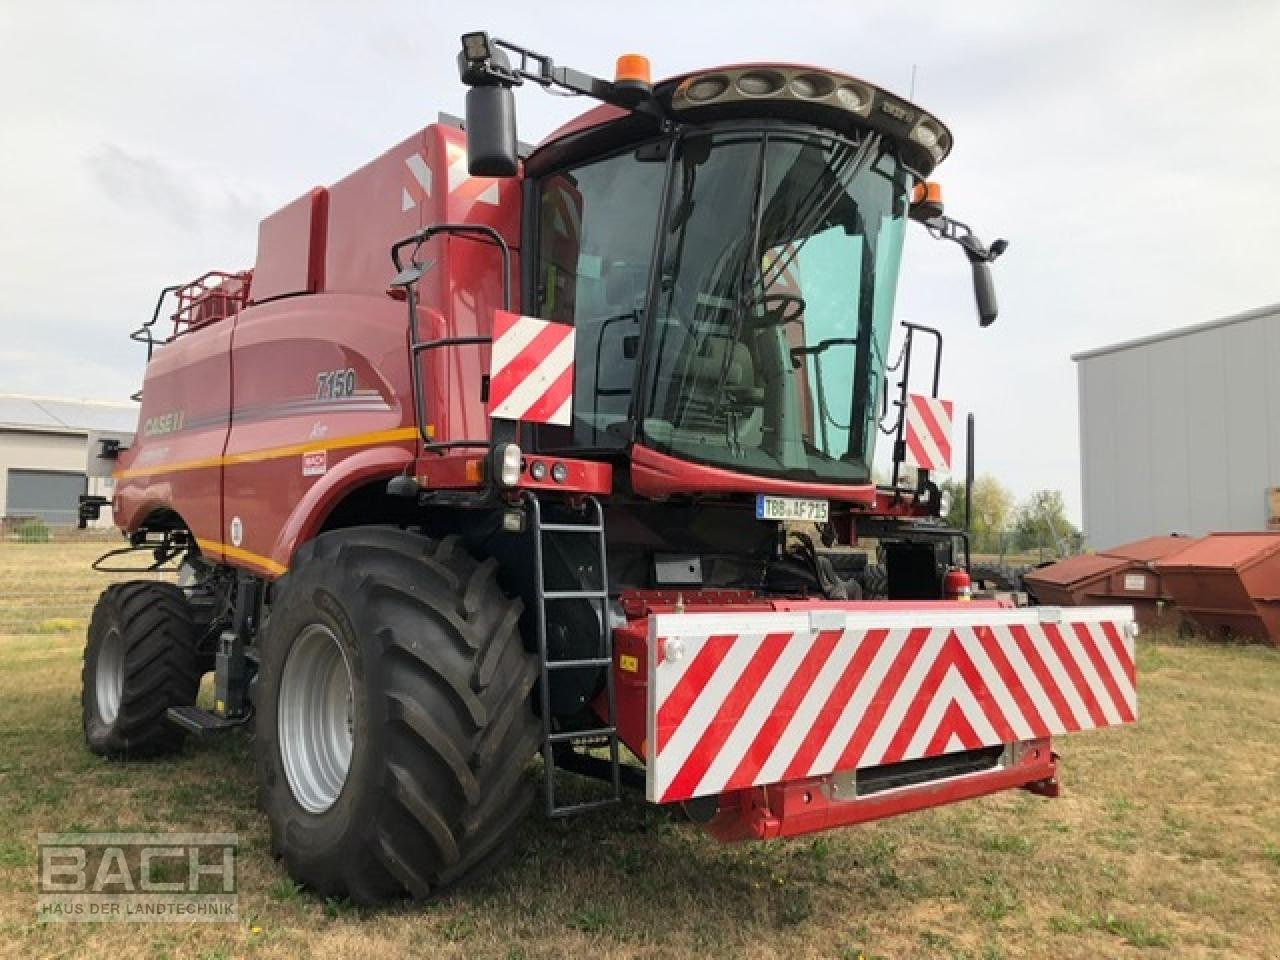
(764, 348)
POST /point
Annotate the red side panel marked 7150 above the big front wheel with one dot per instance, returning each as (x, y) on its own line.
(278, 351)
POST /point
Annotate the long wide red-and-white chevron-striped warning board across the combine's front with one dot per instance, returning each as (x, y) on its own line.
(739, 701)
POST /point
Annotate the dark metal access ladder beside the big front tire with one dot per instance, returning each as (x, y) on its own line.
(559, 746)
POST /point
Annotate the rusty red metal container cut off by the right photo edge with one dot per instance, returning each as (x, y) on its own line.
(1229, 584)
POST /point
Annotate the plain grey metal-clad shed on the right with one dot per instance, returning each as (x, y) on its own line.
(1181, 432)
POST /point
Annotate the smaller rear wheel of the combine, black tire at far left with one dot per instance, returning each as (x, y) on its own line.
(141, 659)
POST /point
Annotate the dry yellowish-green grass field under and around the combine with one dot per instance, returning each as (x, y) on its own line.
(1167, 842)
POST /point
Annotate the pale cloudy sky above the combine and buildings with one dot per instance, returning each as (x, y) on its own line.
(1127, 152)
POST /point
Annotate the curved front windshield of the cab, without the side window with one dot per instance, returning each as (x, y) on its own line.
(775, 303)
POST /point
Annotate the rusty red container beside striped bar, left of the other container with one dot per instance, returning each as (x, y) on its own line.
(1122, 575)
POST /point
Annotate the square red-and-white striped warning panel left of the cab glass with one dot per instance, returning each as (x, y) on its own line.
(531, 371)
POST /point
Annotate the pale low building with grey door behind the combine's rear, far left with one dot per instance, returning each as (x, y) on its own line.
(44, 451)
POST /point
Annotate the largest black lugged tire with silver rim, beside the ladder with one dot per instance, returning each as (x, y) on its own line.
(395, 719)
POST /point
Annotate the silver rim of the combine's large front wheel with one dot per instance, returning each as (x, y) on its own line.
(317, 719)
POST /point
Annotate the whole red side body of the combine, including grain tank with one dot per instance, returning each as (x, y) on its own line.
(255, 426)
